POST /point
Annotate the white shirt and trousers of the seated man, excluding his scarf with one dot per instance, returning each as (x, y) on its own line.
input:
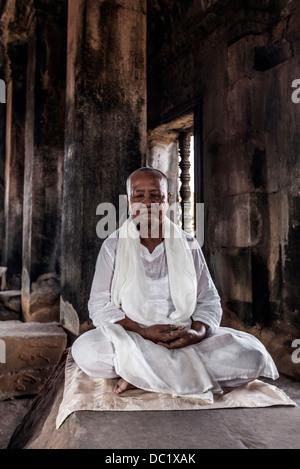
(224, 356)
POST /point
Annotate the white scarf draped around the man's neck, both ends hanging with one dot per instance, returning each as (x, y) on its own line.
(129, 290)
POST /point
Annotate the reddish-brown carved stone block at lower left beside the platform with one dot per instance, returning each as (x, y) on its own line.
(28, 353)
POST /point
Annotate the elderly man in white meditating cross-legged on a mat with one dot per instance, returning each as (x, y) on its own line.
(156, 310)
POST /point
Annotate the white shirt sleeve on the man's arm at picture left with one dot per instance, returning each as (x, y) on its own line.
(101, 309)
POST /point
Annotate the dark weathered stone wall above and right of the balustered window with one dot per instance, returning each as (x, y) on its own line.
(239, 62)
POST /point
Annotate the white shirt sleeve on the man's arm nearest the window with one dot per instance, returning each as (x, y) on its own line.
(208, 308)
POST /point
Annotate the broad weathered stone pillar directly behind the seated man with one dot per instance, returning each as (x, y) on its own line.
(105, 132)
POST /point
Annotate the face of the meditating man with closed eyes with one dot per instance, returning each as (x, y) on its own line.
(148, 198)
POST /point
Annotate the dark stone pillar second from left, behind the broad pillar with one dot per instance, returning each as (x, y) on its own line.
(44, 148)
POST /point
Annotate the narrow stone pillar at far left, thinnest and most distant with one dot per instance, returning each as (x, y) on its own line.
(14, 165)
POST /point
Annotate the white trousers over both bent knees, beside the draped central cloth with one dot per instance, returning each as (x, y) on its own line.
(232, 357)
